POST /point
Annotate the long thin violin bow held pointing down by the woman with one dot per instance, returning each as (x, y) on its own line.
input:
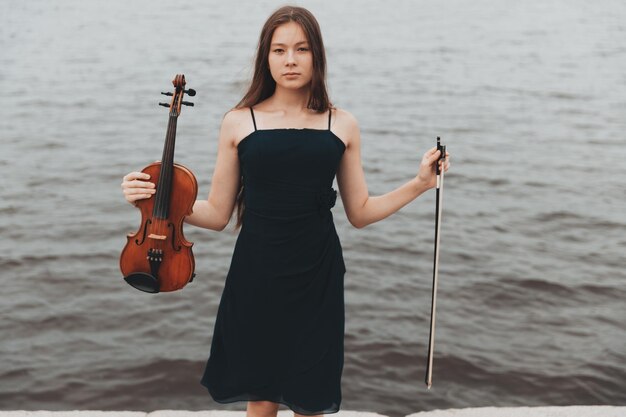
(438, 210)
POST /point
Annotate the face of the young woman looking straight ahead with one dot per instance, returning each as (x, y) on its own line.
(290, 52)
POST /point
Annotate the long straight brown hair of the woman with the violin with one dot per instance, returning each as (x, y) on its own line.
(263, 85)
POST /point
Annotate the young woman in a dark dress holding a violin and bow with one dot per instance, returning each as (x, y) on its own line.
(278, 335)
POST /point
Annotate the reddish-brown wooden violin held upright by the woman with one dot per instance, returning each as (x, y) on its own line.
(157, 257)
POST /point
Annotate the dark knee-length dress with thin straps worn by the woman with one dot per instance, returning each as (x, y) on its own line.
(279, 328)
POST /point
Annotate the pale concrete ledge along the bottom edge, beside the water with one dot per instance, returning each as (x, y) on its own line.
(564, 411)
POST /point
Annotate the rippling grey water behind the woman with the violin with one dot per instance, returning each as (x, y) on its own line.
(529, 97)
